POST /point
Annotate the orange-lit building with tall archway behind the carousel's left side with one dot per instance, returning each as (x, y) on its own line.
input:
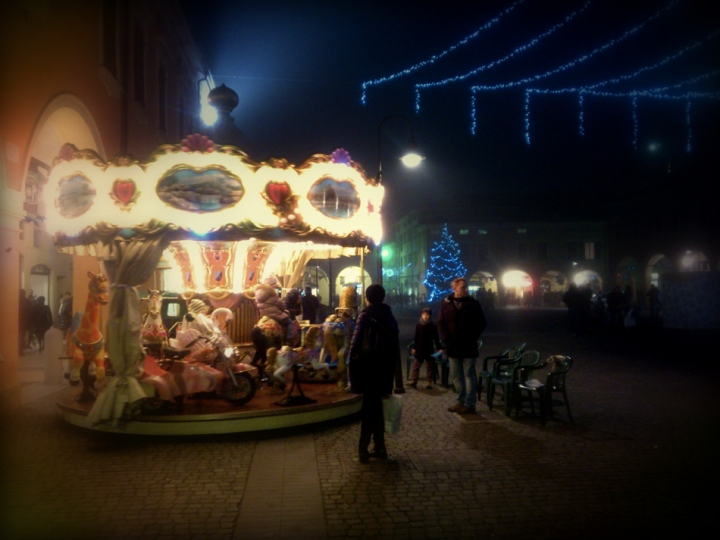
(116, 77)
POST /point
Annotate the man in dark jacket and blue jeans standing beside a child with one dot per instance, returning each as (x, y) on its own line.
(461, 323)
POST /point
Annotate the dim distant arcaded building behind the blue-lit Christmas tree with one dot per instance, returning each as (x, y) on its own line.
(507, 251)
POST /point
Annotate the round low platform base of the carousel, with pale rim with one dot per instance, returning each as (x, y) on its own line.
(211, 414)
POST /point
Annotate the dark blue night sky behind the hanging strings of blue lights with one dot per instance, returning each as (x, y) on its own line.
(298, 68)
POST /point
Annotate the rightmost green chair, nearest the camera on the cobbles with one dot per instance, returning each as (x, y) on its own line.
(556, 368)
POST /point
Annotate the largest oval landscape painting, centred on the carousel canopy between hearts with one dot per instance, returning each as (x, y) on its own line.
(200, 190)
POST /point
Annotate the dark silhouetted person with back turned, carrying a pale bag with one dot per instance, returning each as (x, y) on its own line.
(373, 375)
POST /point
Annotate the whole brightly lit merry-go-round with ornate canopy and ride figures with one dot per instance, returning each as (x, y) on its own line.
(236, 236)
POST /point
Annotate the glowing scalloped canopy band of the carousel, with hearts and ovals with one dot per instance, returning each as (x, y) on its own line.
(197, 190)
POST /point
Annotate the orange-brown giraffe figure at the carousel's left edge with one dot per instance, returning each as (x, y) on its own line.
(87, 346)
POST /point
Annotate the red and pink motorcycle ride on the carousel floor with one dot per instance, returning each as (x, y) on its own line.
(202, 366)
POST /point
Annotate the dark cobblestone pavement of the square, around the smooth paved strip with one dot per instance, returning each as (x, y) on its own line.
(639, 460)
